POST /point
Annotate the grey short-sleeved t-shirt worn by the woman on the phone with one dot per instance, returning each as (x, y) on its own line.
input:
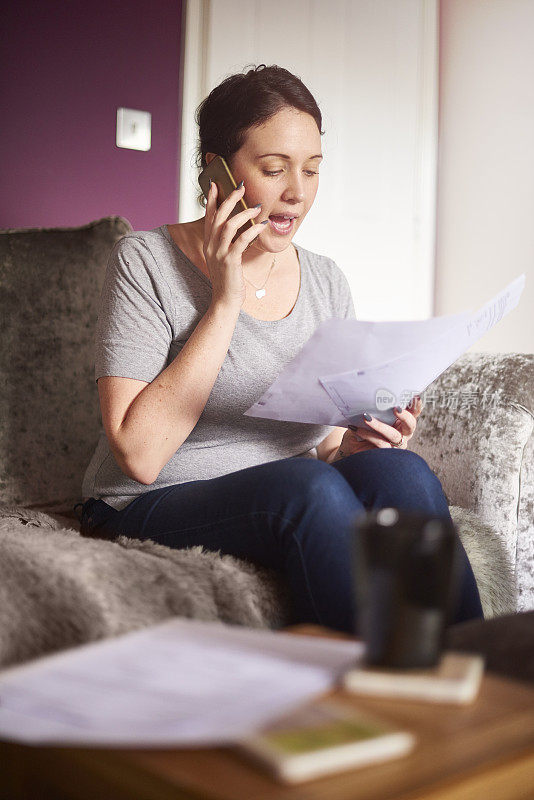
(152, 299)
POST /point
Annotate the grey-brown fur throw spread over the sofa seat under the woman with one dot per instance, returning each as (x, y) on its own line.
(59, 589)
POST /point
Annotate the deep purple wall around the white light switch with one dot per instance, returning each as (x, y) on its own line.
(70, 65)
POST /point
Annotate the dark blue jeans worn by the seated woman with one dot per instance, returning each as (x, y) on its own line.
(294, 515)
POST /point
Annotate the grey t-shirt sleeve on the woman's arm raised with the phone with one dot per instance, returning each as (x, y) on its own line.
(134, 331)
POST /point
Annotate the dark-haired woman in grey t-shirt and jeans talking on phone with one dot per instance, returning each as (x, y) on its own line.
(193, 329)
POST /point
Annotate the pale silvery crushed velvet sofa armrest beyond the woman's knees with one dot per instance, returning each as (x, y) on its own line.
(475, 432)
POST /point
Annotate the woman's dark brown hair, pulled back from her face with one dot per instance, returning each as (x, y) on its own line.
(243, 100)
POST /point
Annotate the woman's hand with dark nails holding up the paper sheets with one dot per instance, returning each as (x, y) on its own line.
(380, 434)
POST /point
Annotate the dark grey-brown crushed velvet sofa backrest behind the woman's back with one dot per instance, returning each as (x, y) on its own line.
(50, 282)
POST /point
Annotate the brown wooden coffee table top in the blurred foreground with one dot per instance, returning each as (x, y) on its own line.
(485, 750)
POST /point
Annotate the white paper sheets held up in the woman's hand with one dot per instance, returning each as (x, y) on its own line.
(349, 366)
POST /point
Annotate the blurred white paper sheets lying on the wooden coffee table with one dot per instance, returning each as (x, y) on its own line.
(180, 683)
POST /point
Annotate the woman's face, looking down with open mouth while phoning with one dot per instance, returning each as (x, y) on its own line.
(284, 182)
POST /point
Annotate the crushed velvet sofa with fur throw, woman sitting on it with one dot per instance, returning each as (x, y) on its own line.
(59, 589)
